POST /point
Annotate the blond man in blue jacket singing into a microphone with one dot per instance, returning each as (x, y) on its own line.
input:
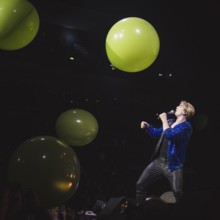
(169, 155)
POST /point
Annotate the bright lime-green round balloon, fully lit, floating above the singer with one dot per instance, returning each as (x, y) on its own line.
(132, 44)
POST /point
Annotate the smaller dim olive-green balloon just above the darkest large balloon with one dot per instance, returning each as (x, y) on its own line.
(77, 127)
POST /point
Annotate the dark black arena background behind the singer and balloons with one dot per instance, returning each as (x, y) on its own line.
(39, 82)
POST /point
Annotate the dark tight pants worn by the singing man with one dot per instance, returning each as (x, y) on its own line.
(156, 170)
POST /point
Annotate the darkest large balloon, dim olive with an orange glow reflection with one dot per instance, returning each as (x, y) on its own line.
(48, 166)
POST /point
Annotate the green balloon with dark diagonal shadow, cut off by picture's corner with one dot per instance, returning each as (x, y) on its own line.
(19, 24)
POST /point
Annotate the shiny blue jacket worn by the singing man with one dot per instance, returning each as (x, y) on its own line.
(178, 138)
